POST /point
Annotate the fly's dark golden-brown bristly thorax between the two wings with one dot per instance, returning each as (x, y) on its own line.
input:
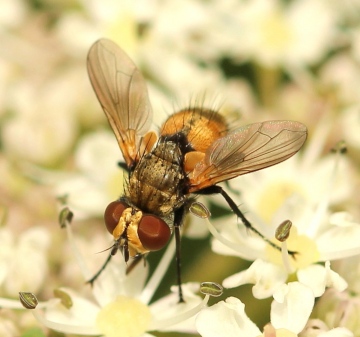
(158, 181)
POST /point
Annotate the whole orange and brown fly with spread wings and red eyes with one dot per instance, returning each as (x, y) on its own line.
(192, 154)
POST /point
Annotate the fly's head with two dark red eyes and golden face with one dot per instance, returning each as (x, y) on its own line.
(135, 233)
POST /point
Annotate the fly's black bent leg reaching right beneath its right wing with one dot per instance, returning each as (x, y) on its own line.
(218, 189)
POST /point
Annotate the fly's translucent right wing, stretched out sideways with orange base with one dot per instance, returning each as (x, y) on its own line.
(247, 149)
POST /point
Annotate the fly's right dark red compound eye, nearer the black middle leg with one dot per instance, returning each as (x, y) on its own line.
(153, 232)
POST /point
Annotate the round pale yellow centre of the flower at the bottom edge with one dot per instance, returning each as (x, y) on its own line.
(125, 317)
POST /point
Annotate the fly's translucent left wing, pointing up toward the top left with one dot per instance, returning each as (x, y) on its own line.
(122, 93)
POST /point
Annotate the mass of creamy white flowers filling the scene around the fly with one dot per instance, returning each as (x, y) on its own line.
(252, 60)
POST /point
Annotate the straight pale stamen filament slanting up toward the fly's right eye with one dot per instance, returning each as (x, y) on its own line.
(158, 275)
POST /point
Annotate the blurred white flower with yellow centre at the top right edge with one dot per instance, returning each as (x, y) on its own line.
(274, 34)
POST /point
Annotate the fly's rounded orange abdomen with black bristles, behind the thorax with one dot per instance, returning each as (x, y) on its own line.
(201, 127)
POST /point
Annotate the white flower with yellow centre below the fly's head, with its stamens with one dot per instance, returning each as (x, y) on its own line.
(119, 304)
